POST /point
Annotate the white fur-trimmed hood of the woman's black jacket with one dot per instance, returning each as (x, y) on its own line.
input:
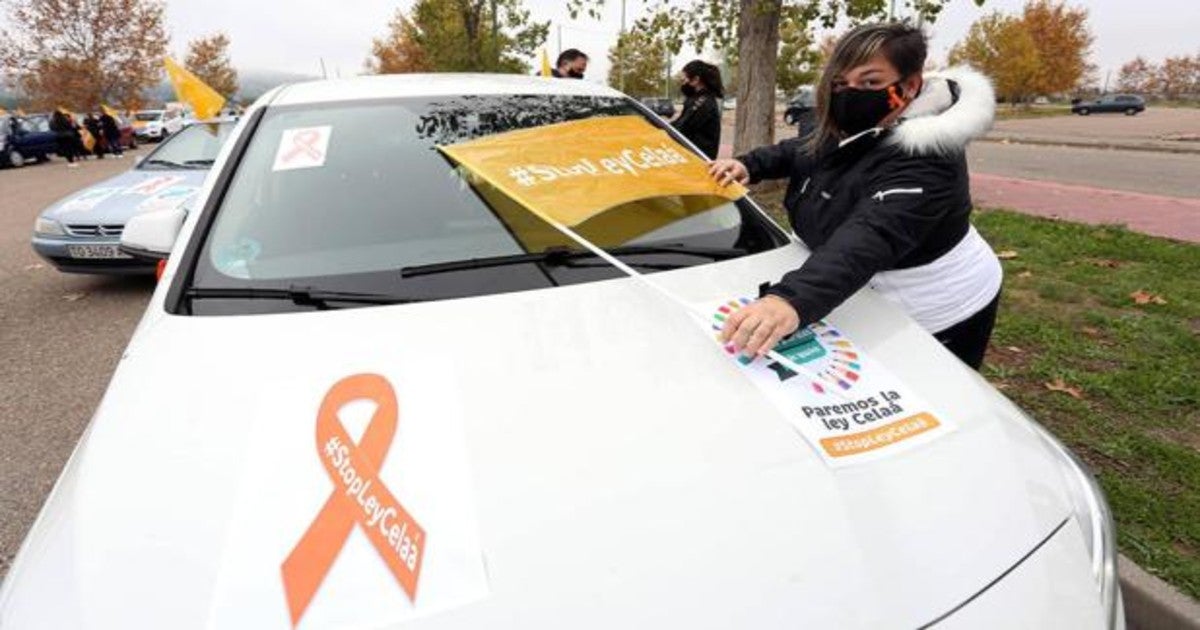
(955, 107)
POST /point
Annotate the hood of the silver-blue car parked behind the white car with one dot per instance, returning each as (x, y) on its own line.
(116, 200)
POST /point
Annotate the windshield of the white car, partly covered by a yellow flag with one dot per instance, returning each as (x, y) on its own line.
(385, 212)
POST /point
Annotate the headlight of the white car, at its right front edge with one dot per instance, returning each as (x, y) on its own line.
(1095, 520)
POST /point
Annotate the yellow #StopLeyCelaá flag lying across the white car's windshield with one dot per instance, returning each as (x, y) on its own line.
(613, 179)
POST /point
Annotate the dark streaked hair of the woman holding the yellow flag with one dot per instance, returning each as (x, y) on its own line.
(905, 47)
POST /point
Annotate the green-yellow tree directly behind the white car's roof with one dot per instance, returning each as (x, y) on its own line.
(459, 37)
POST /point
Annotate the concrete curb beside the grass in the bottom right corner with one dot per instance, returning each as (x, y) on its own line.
(1151, 604)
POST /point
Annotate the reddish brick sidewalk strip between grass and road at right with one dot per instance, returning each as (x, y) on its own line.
(1150, 214)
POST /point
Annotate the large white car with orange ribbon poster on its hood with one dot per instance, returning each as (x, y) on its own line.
(353, 375)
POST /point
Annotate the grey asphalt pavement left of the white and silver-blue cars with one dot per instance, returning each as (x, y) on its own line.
(62, 337)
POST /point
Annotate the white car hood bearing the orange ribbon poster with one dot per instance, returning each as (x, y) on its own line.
(617, 471)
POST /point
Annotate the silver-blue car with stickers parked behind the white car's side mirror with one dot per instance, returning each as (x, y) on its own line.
(81, 233)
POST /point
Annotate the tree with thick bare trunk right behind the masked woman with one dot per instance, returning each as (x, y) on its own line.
(753, 28)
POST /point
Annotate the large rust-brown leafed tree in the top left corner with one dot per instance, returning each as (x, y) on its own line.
(81, 53)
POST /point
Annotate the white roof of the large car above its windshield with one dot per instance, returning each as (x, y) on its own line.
(445, 85)
